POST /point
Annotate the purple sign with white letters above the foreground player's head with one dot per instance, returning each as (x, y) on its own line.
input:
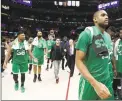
(108, 5)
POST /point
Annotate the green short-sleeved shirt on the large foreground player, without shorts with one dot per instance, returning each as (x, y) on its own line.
(97, 66)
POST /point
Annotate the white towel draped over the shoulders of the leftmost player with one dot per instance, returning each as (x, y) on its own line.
(16, 44)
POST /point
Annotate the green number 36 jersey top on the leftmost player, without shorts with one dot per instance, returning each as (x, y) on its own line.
(20, 55)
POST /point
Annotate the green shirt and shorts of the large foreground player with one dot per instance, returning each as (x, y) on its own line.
(97, 66)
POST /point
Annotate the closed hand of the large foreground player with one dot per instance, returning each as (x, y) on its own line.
(101, 90)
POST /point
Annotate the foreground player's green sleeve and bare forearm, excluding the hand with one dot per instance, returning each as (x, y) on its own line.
(81, 49)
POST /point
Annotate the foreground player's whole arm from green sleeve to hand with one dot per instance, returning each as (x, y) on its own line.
(81, 50)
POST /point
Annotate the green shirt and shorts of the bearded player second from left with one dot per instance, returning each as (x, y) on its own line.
(38, 51)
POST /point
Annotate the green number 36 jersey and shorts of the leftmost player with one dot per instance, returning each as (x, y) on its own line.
(20, 59)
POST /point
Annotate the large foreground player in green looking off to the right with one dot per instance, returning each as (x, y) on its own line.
(92, 59)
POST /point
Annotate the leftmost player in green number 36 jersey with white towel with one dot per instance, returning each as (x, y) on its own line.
(20, 51)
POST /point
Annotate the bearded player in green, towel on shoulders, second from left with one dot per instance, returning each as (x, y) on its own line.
(38, 48)
